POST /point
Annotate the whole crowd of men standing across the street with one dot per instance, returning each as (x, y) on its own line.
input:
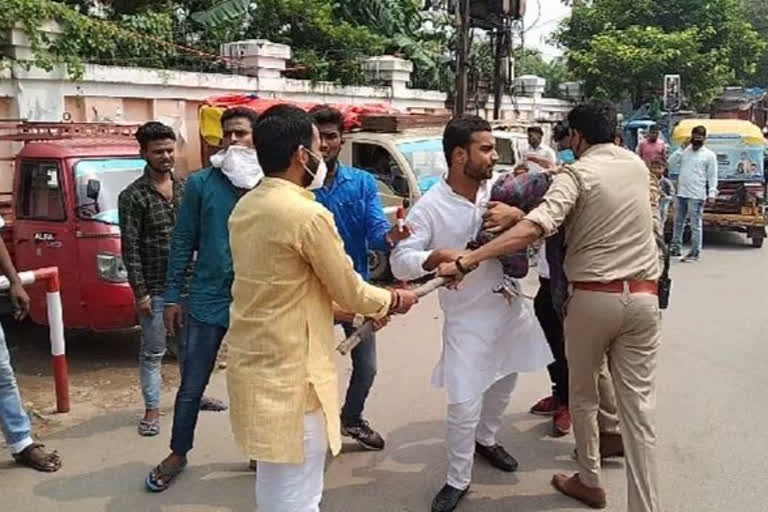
(266, 249)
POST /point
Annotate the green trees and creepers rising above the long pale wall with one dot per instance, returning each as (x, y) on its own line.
(329, 39)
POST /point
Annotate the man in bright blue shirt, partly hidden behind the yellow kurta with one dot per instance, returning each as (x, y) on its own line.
(352, 196)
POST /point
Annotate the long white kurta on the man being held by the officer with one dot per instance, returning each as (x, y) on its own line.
(485, 337)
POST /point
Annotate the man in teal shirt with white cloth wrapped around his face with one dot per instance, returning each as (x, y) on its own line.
(202, 228)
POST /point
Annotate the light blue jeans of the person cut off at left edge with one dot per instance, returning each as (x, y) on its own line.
(13, 419)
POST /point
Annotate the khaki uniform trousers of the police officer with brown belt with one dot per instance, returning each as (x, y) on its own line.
(625, 330)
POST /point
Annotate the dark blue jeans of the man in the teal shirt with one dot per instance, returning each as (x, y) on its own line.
(201, 345)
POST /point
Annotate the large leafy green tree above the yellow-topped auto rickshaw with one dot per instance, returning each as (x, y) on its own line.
(621, 48)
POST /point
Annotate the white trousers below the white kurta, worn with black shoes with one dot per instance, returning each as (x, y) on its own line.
(476, 420)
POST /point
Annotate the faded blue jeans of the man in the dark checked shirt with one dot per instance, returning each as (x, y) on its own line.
(151, 353)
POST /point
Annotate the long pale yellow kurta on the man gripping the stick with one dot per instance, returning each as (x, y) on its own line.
(290, 267)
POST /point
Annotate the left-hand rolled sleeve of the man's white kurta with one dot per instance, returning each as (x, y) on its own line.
(408, 257)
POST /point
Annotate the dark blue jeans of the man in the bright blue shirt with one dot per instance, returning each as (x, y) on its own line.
(361, 381)
